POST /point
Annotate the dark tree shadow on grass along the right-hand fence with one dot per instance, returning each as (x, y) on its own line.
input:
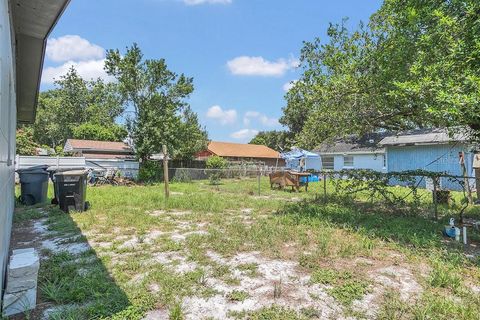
(373, 220)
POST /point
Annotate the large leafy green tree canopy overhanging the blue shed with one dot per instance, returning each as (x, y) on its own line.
(415, 64)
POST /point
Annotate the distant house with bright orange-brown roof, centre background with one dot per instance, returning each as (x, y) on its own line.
(243, 153)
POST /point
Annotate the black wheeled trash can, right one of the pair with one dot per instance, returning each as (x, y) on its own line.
(71, 188)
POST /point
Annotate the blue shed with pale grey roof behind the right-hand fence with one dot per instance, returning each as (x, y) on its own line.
(429, 149)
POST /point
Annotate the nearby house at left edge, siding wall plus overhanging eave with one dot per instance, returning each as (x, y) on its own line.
(24, 28)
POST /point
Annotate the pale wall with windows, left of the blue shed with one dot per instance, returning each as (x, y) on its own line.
(360, 161)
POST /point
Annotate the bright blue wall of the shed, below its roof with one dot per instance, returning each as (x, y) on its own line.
(436, 158)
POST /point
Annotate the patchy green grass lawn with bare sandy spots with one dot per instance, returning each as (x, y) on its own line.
(216, 252)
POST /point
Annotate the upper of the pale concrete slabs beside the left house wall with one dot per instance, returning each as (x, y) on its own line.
(22, 272)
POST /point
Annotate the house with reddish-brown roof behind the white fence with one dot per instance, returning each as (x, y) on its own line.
(92, 149)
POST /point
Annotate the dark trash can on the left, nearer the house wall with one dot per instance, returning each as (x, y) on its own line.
(33, 184)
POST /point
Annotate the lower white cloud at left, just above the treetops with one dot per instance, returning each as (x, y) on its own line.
(88, 70)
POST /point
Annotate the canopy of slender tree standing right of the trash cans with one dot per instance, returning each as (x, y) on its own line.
(158, 97)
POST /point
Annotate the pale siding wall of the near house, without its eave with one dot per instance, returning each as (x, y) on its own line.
(7, 134)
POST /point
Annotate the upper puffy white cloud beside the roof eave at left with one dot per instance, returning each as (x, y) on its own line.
(73, 48)
